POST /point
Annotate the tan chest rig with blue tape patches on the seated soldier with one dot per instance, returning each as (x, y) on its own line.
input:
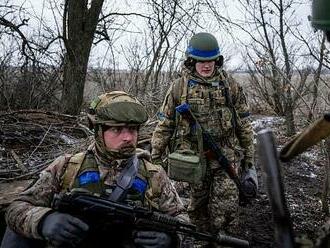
(129, 186)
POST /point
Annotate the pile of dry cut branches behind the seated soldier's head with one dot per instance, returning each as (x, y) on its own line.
(31, 139)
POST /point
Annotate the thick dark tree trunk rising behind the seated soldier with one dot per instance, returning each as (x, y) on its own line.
(79, 24)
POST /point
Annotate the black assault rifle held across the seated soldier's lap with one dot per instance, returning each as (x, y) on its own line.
(87, 205)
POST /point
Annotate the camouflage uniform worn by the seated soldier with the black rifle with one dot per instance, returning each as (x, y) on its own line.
(27, 211)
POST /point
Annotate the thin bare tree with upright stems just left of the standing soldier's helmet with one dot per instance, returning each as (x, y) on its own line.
(169, 19)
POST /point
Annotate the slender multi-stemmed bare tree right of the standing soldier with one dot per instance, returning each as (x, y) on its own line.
(273, 55)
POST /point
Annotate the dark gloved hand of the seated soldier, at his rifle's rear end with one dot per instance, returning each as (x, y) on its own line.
(60, 229)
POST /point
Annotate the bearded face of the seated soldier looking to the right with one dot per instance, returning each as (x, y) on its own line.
(120, 137)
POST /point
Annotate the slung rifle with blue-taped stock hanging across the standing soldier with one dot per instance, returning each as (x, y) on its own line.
(212, 147)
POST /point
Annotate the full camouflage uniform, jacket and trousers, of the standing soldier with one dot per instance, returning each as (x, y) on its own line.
(213, 201)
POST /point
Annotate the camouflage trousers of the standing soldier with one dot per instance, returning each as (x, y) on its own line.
(213, 204)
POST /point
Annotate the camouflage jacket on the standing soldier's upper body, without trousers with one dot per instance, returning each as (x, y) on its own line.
(225, 118)
